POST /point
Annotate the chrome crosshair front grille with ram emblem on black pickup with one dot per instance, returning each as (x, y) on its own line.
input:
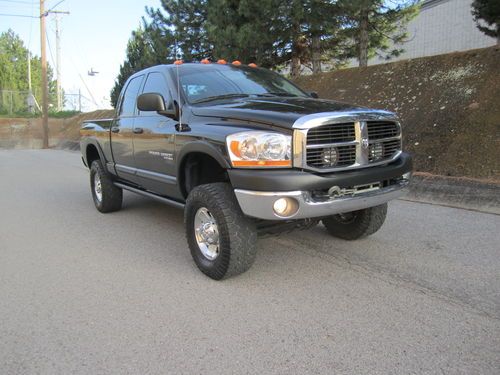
(341, 145)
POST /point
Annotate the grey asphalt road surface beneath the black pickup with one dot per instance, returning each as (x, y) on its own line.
(87, 293)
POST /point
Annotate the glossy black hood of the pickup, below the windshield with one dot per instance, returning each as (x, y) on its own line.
(282, 112)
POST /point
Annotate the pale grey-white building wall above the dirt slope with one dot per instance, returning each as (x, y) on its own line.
(442, 26)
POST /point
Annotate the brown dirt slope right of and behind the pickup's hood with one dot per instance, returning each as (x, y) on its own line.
(449, 106)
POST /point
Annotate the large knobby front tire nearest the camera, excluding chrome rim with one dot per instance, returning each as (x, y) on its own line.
(237, 233)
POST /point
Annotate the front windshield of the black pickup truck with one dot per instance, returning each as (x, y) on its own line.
(202, 84)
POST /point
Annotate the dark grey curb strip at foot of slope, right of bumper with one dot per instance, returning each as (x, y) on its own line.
(464, 193)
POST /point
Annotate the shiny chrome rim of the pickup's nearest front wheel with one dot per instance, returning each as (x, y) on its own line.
(206, 233)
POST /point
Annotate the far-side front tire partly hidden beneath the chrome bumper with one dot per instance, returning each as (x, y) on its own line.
(358, 224)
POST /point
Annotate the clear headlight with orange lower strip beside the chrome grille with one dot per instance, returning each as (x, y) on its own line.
(260, 149)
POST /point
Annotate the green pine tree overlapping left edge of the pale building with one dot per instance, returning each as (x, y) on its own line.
(376, 27)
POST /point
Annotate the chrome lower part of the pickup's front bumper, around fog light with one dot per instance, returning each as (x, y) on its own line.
(259, 204)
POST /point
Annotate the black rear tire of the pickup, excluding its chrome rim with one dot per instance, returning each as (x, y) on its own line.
(112, 196)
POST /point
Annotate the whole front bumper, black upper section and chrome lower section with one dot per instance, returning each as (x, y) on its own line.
(257, 192)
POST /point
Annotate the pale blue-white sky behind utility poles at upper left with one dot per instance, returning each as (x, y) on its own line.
(93, 36)
